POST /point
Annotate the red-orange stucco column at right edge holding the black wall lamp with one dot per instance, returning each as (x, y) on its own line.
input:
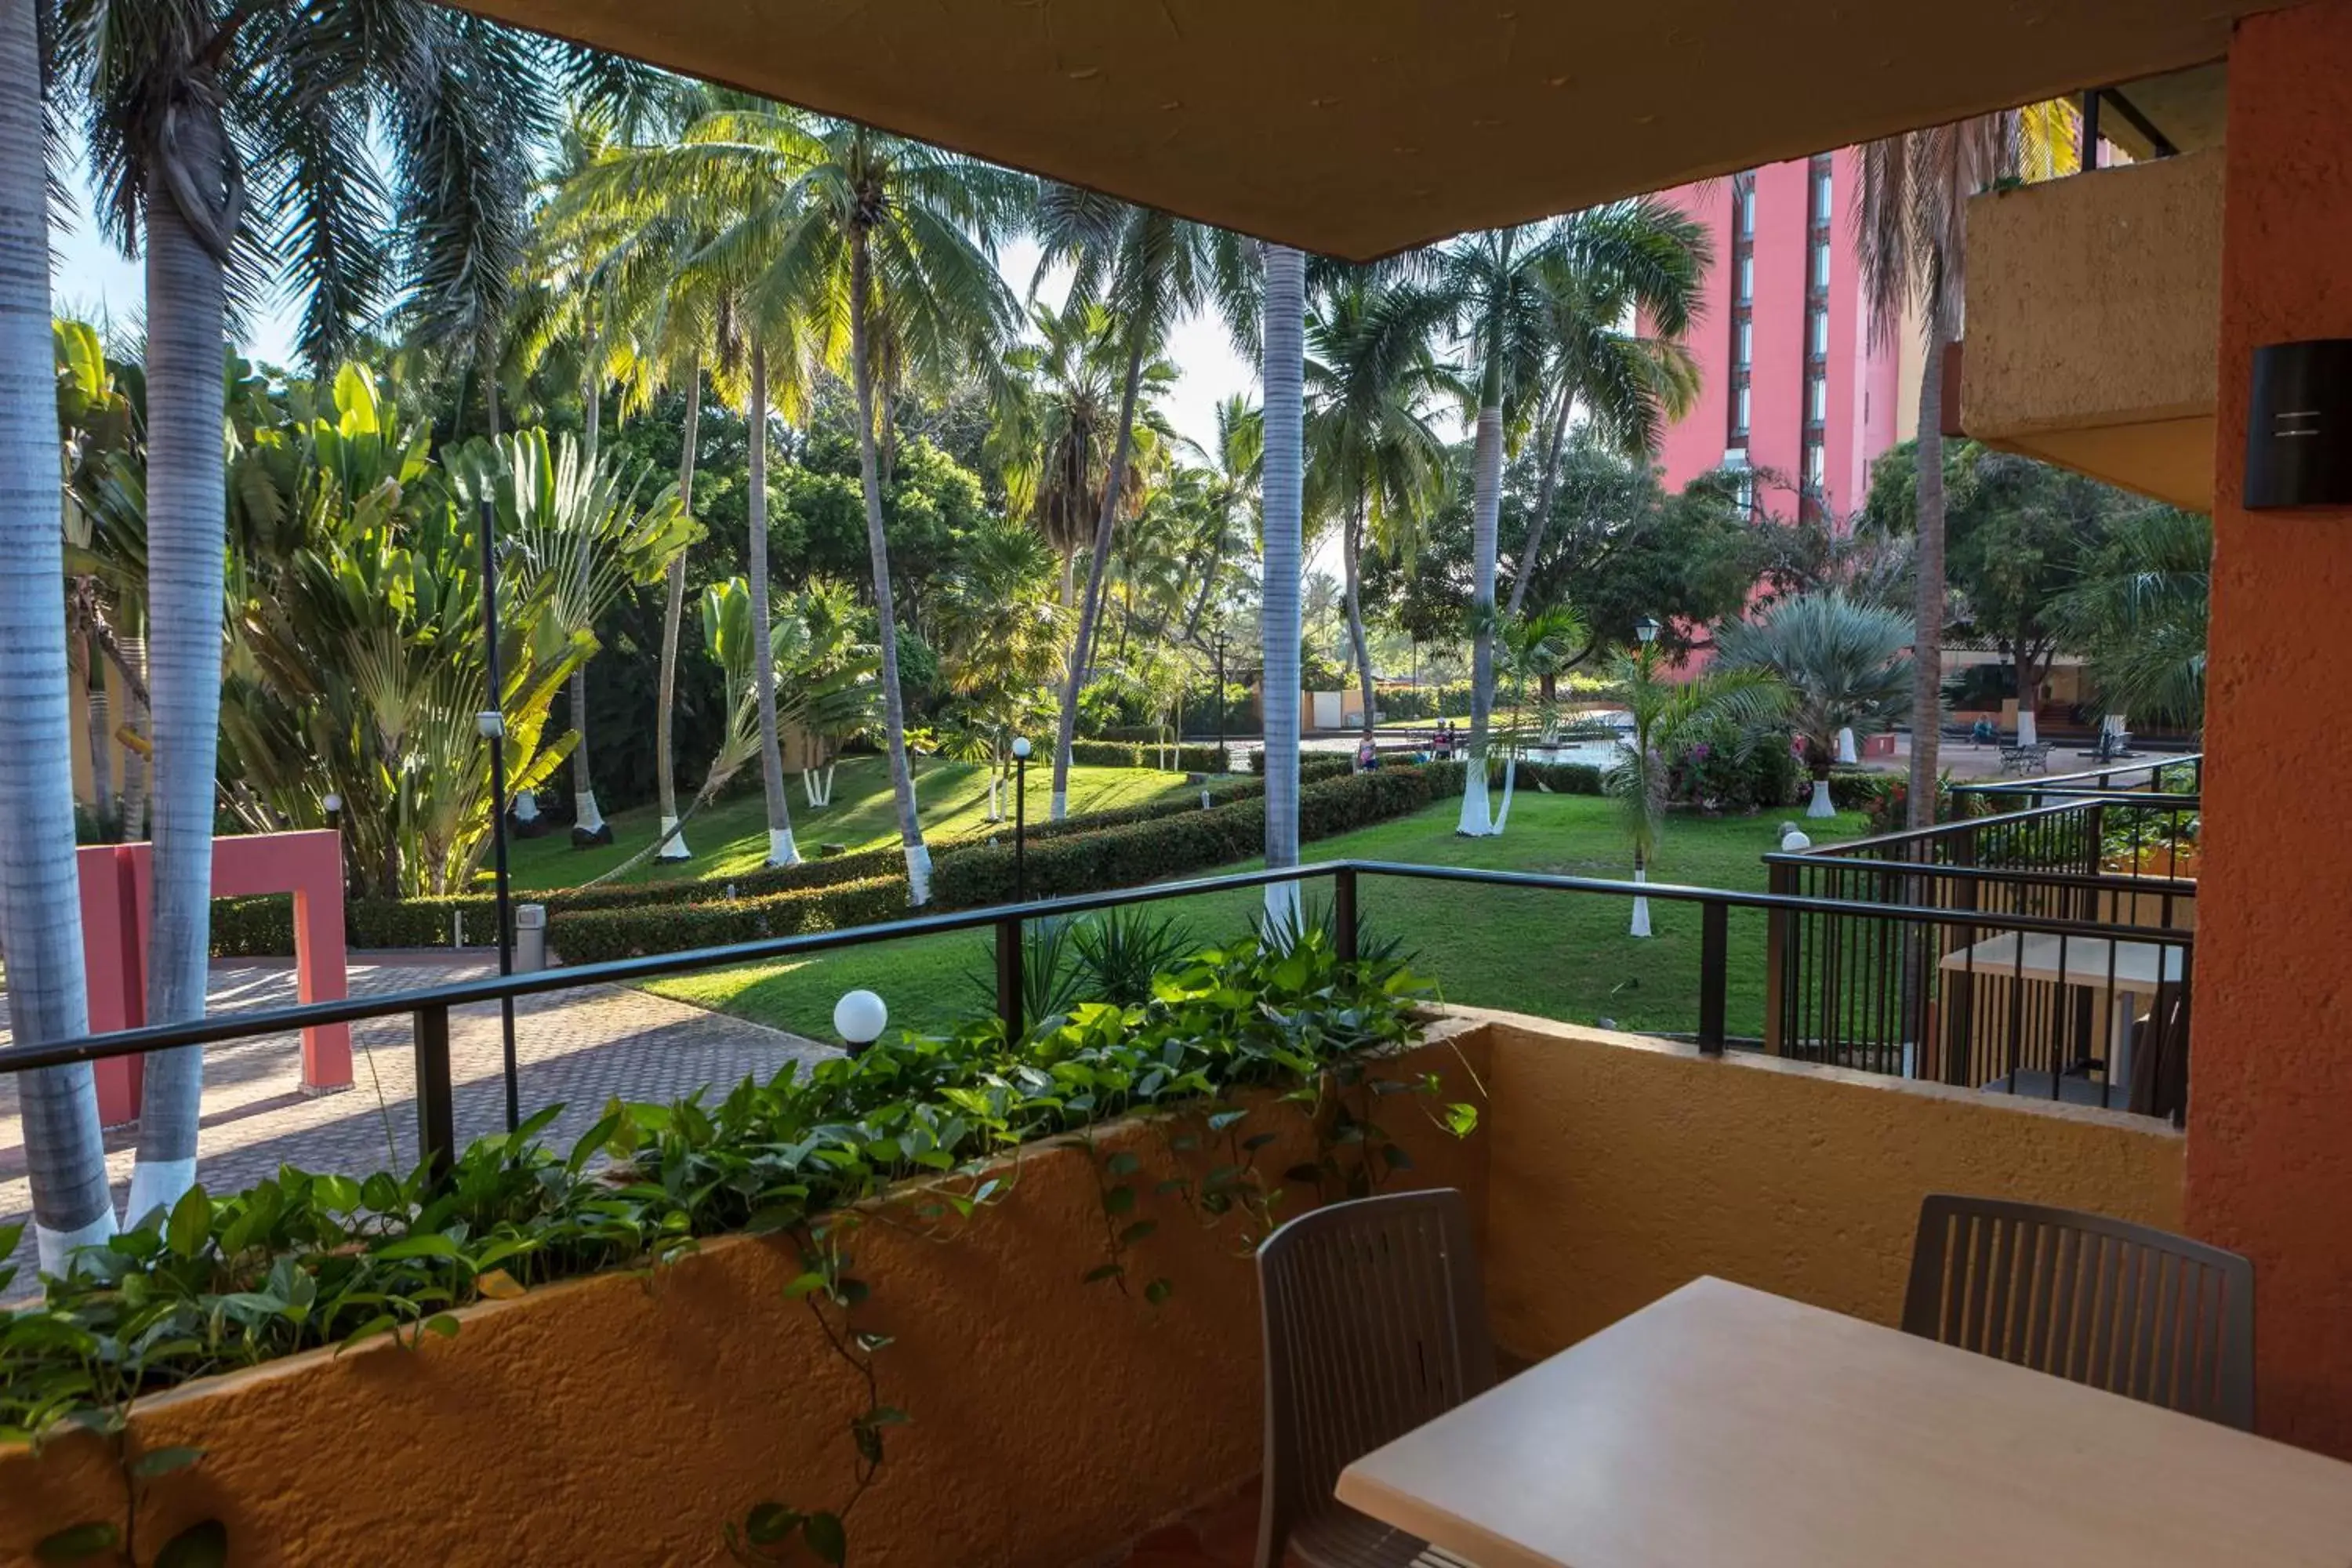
(2271, 1099)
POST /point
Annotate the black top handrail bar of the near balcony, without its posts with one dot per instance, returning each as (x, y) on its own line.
(615, 972)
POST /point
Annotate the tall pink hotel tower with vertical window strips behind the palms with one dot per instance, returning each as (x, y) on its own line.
(1789, 380)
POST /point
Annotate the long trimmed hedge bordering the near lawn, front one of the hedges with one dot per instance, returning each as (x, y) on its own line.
(982, 876)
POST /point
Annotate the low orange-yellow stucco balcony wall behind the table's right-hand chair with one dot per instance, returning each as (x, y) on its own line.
(1626, 1167)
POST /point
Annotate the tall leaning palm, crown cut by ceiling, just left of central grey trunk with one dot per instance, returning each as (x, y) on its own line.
(1151, 269)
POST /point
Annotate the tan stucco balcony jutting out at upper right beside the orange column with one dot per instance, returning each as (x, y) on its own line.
(2094, 314)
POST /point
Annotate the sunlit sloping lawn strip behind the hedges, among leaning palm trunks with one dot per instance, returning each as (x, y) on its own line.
(730, 836)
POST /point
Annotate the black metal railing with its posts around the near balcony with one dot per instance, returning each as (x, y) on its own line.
(429, 1010)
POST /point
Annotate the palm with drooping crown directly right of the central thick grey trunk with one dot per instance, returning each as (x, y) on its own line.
(1372, 455)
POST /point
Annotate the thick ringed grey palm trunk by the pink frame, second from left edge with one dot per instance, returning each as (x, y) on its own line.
(187, 478)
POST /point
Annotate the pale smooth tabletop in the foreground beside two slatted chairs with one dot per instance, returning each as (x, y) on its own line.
(1725, 1426)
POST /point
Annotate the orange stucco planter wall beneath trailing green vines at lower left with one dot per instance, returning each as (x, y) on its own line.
(624, 1421)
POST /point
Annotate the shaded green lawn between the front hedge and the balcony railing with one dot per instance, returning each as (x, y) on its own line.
(1563, 956)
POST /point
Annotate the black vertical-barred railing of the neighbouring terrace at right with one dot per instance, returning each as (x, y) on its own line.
(2099, 1014)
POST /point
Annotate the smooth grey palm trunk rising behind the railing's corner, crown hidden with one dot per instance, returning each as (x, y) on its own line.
(1283, 504)
